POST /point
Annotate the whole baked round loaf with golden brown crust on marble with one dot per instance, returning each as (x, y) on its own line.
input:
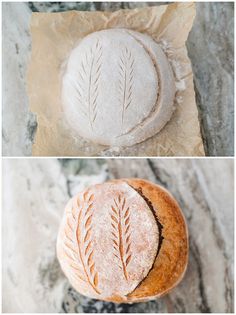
(123, 241)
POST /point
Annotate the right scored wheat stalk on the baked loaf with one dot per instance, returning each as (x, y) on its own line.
(121, 235)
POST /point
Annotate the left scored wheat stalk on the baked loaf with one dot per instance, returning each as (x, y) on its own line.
(81, 254)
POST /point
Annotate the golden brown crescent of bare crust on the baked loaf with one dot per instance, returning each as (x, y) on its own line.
(171, 261)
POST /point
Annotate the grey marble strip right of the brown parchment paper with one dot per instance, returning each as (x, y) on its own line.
(211, 50)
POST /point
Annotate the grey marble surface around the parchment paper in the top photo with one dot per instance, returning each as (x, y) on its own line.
(210, 47)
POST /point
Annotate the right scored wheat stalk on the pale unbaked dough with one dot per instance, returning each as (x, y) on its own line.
(126, 80)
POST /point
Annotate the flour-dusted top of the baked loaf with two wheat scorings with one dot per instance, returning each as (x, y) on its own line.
(102, 242)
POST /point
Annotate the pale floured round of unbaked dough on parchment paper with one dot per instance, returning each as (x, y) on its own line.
(118, 88)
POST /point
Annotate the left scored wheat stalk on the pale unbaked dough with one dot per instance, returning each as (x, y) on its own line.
(87, 87)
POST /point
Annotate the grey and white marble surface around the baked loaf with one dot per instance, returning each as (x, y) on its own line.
(35, 192)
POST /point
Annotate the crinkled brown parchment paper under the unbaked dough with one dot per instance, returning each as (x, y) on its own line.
(54, 35)
